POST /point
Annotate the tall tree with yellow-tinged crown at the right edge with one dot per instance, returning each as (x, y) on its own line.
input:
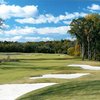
(94, 33)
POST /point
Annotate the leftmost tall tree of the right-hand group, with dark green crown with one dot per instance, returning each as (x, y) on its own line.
(77, 30)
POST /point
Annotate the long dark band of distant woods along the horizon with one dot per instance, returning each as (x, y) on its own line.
(37, 47)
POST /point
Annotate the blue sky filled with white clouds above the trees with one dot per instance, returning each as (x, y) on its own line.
(42, 20)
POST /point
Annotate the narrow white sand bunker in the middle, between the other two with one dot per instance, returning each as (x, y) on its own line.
(61, 76)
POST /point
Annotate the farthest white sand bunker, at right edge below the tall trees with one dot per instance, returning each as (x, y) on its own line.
(86, 66)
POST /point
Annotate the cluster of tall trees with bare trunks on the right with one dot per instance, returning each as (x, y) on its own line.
(87, 32)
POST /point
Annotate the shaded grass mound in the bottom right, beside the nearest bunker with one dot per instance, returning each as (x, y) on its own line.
(86, 90)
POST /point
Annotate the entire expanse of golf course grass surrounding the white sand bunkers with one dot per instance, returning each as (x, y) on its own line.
(34, 65)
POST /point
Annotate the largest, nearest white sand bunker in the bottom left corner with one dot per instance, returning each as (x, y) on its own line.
(13, 91)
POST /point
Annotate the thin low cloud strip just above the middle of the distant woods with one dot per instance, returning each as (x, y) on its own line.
(38, 39)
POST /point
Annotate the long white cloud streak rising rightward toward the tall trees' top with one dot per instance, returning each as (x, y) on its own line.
(49, 18)
